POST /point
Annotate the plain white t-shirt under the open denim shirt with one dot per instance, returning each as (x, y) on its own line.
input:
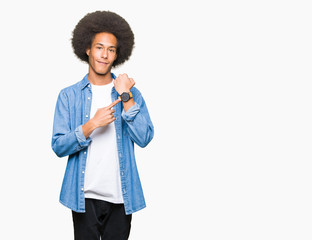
(102, 175)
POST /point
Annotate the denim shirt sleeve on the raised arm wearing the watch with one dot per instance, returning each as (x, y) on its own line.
(139, 124)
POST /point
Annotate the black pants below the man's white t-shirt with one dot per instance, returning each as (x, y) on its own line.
(102, 219)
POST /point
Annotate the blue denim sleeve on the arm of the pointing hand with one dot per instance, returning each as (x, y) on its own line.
(66, 141)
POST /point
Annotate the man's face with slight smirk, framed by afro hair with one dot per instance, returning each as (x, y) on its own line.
(103, 53)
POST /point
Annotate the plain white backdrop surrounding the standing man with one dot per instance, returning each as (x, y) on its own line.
(228, 86)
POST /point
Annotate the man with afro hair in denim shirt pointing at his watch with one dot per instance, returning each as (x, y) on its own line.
(96, 123)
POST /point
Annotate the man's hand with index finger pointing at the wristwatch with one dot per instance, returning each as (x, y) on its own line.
(102, 117)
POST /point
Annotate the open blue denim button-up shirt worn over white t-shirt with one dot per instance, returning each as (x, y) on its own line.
(134, 126)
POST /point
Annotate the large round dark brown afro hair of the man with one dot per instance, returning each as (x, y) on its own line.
(103, 21)
